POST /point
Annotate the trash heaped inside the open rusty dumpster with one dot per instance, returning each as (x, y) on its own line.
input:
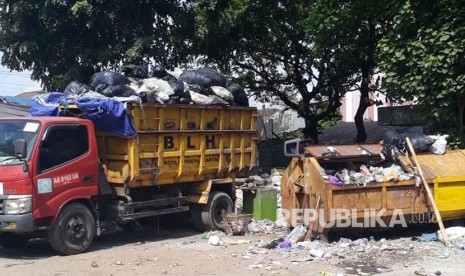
(366, 175)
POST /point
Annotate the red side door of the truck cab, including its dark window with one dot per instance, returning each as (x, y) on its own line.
(67, 168)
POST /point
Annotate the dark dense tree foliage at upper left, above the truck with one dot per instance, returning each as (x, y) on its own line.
(61, 40)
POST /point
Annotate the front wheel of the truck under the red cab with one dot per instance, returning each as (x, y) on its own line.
(73, 230)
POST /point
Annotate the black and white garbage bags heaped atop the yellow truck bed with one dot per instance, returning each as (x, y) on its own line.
(203, 86)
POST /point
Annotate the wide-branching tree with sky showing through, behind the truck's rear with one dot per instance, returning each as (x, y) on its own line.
(264, 44)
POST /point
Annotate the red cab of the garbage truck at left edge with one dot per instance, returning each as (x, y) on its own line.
(45, 162)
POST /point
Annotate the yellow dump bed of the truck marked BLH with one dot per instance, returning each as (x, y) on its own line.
(181, 143)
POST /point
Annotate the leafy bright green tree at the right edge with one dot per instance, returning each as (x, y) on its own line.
(423, 58)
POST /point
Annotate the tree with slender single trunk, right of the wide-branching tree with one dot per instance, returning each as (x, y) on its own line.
(353, 29)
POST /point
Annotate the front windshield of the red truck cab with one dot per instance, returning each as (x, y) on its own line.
(11, 130)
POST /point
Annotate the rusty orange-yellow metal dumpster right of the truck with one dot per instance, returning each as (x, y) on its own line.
(404, 202)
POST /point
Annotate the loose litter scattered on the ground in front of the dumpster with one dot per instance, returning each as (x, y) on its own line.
(364, 256)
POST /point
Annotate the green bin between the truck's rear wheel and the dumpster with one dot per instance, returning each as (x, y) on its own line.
(262, 203)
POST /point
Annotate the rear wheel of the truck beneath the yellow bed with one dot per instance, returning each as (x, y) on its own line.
(219, 203)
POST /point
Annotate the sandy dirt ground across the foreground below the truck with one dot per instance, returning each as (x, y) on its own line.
(175, 251)
